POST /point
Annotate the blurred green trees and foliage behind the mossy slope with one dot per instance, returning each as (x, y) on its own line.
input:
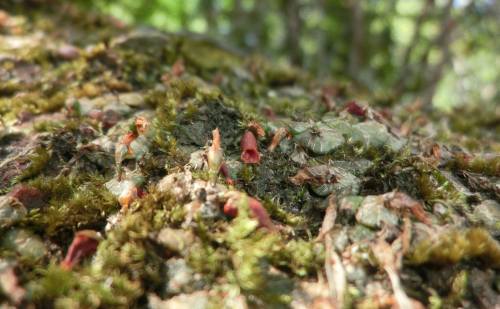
(444, 52)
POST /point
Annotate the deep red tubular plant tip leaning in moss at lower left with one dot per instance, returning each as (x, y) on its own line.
(84, 244)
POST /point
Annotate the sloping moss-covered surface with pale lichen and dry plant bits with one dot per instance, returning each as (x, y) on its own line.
(107, 128)
